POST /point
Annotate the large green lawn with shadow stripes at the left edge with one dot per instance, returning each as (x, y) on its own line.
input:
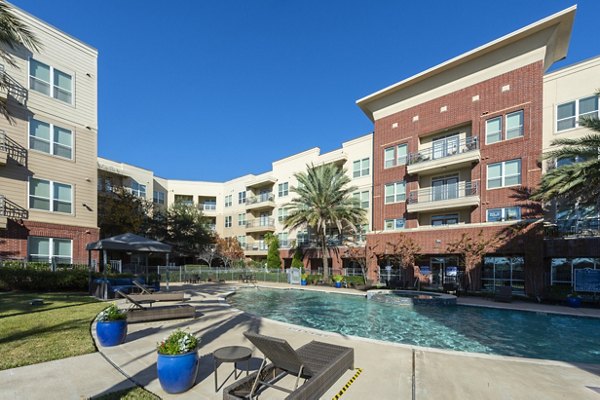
(32, 334)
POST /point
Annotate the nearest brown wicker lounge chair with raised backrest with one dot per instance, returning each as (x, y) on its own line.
(320, 364)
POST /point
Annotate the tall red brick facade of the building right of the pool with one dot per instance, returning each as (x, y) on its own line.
(524, 93)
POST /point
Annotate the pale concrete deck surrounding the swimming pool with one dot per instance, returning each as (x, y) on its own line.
(389, 371)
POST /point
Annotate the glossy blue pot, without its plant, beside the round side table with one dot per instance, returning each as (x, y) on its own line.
(177, 373)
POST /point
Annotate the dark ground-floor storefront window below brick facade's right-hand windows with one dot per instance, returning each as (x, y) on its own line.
(503, 271)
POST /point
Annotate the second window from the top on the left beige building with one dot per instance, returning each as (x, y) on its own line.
(50, 139)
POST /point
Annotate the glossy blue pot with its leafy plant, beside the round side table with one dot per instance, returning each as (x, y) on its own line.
(177, 364)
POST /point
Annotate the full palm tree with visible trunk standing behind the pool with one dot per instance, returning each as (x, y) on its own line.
(324, 201)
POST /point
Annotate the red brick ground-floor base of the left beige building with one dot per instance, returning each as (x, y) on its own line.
(13, 240)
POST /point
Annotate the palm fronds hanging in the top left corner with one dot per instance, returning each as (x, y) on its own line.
(13, 34)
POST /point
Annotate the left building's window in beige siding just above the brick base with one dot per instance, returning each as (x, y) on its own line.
(50, 196)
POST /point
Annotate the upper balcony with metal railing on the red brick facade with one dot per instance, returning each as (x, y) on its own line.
(444, 154)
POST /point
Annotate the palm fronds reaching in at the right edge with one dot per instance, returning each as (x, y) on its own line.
(578, 182)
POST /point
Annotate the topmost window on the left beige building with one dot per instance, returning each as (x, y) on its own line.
(50, 81)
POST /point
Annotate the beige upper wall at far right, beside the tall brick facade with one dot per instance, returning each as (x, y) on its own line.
(569, 84)
